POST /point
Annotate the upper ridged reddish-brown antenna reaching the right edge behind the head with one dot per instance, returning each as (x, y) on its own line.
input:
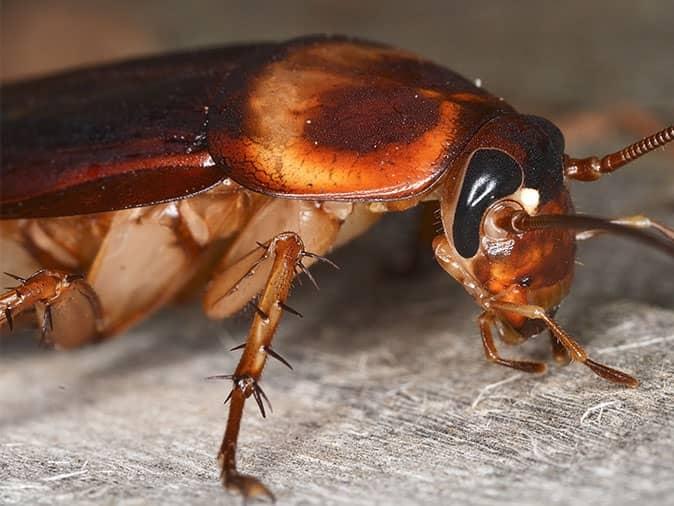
(592, 168)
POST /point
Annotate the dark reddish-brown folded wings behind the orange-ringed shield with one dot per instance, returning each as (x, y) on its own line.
(111, 137)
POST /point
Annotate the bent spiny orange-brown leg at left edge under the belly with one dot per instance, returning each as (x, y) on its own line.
(42, 291)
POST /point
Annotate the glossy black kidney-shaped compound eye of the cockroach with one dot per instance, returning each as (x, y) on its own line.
(491, 175)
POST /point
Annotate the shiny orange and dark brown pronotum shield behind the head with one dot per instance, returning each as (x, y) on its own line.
(332, 118)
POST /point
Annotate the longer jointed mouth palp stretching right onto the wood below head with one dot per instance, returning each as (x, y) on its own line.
(575, 350)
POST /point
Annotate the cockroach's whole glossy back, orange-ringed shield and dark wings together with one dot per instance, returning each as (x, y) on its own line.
(323, 118)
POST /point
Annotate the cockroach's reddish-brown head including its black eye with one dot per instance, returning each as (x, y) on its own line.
(513, 164)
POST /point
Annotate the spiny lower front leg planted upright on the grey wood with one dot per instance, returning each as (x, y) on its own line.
(287, 250)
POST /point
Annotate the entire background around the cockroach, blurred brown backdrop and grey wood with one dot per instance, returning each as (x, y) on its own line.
(389, 368)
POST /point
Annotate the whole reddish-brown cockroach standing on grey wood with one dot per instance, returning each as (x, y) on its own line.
(242, 166)
